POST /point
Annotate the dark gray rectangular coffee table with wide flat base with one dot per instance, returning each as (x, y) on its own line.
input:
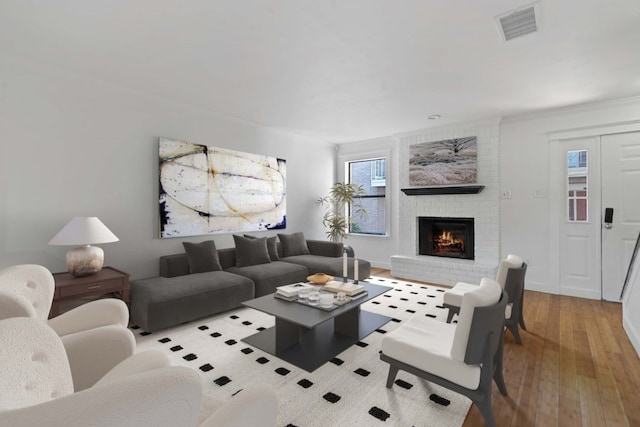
(308, 337)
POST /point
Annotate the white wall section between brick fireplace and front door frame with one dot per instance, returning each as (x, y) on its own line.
(525, 224)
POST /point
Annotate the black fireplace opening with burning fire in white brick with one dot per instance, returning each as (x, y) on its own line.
(446, 237)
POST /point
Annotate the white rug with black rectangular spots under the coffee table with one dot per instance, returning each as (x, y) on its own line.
(349, 390)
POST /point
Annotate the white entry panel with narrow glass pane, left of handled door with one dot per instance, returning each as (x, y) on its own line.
(579, 225)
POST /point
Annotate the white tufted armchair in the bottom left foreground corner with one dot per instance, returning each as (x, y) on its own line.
(36, 389)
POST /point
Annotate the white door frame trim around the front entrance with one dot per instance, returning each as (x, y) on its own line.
(556, 208)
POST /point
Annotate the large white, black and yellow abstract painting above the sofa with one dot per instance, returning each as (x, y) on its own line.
(207, 190)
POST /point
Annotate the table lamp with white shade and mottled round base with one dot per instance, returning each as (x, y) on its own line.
(84, 260)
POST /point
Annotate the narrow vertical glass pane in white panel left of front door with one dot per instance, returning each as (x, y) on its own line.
(577, 186)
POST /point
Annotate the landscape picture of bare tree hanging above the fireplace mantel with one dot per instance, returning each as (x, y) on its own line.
(448, 162)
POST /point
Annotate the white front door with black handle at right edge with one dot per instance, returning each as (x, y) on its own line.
(621, 192)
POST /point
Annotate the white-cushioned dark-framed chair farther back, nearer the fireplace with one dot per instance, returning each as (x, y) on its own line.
(510, 276)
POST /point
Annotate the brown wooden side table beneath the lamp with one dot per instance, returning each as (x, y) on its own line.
(106, 281)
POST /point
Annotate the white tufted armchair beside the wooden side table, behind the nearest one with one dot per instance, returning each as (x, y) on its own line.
(95, 334)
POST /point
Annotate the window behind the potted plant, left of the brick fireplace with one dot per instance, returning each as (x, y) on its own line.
(371, 175)
